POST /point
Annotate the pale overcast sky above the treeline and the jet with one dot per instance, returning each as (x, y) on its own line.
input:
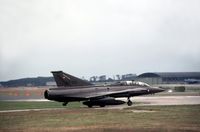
(95, 37)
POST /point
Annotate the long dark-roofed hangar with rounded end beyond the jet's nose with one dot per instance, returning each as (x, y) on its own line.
(167, 77)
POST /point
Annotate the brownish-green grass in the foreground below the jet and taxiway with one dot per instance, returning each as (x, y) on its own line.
(76, 118)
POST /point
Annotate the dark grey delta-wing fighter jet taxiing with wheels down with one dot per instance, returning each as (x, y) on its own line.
(71, 89)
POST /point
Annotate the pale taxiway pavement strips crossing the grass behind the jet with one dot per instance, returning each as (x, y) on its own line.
(137, 101)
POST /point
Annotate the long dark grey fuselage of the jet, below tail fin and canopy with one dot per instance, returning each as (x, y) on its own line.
(67, 94)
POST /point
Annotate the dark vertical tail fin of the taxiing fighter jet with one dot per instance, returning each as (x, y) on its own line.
(64, 79)
